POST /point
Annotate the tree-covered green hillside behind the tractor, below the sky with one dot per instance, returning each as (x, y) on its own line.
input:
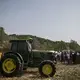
(40, 43)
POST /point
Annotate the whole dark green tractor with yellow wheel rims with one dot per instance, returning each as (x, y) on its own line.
(21, 56)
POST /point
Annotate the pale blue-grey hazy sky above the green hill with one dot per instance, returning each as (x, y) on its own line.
(51, 19)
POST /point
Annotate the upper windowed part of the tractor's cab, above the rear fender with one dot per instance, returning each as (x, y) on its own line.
(20, 45)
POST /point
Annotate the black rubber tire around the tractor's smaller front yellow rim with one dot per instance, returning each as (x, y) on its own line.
(53, 69)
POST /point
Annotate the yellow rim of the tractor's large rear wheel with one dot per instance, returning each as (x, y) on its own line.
(8, 65)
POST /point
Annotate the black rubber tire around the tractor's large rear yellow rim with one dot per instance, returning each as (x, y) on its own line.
(16, 61)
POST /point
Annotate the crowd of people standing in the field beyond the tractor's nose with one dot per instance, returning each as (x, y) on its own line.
(68, 57)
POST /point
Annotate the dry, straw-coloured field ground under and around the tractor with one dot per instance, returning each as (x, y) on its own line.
(64, 72)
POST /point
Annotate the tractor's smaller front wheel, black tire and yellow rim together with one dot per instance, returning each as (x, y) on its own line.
(47, 69)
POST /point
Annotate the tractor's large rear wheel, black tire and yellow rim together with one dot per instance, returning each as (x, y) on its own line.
(10, 65)
